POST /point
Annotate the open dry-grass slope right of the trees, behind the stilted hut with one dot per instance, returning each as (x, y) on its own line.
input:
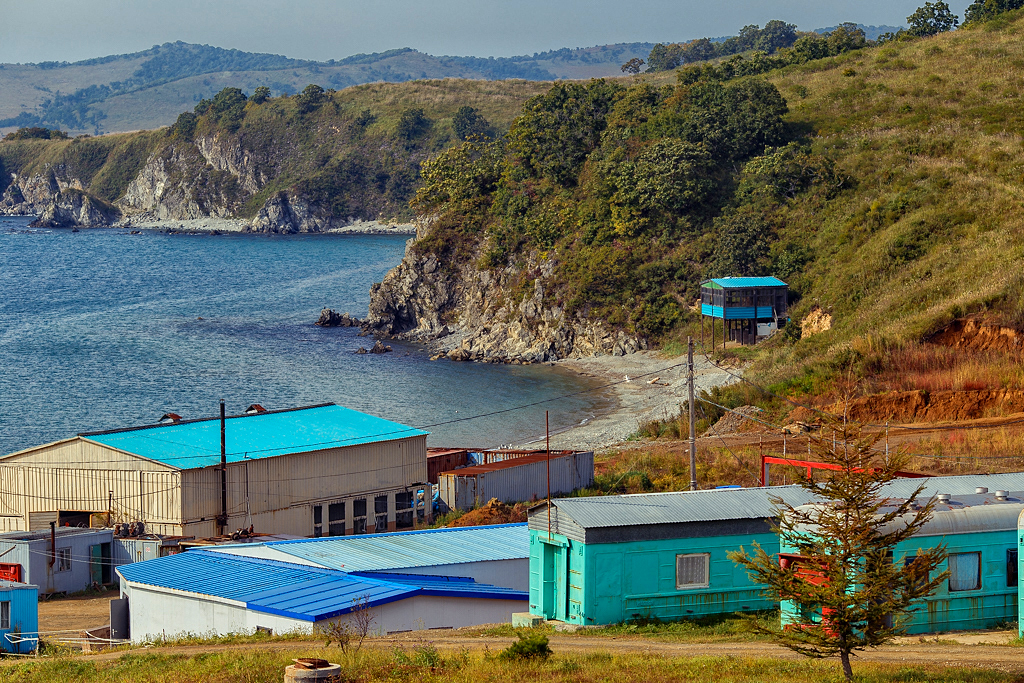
(930, 135)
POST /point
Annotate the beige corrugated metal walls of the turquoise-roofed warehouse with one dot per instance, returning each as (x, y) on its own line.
(78, 476)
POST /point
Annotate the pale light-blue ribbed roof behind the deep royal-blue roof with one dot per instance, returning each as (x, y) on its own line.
(408, 550)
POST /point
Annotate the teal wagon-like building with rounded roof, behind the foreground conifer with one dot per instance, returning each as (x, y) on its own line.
(979, 533)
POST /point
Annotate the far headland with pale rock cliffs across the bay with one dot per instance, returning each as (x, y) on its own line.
(302, 163)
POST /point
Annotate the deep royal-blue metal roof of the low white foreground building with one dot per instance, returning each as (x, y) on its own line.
(296, 591)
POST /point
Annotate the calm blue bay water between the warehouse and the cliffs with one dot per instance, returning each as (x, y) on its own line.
(101, 330)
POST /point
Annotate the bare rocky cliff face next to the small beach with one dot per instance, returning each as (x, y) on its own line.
(468, 316)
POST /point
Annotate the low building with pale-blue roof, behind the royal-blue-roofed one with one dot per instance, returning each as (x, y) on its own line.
(497, 554)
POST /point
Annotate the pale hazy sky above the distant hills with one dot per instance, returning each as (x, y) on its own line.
(72, 30)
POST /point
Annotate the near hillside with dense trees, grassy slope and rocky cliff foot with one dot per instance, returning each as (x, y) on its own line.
(883, 184)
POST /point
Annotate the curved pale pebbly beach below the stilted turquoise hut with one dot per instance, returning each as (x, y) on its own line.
(644, 387)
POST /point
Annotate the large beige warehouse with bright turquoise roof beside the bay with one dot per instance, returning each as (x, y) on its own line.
(322, 471)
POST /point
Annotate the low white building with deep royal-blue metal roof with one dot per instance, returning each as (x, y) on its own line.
(207, 592)
